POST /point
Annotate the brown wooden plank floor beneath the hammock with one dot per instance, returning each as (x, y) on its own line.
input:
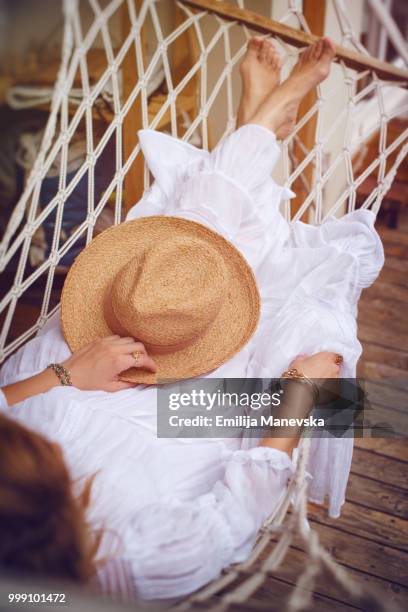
(370, 538)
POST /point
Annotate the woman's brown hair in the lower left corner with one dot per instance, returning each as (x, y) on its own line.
(43, 526)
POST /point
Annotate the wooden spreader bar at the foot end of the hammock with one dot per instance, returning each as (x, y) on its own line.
(297, 38)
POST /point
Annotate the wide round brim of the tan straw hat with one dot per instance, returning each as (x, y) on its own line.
(90, 277)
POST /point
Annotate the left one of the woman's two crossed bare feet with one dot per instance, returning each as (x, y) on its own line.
(260, 74)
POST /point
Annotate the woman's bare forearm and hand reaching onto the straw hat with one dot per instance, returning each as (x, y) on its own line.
(97, 366)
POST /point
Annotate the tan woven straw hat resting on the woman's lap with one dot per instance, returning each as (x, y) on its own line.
(173, 284)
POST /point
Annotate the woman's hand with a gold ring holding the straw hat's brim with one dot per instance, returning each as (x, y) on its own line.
(97, 366)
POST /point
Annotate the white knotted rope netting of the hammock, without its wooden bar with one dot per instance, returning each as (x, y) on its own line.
(72, 108)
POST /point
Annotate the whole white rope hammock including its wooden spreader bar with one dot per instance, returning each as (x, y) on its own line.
(190, 105)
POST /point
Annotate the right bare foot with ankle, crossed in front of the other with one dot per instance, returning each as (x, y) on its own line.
(279, 111)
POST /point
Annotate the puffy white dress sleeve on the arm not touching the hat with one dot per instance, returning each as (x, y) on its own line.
(175, 546)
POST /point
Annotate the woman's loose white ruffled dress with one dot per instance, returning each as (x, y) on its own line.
(178, 511)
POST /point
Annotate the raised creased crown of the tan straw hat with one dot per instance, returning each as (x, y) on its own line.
(168, 295)
